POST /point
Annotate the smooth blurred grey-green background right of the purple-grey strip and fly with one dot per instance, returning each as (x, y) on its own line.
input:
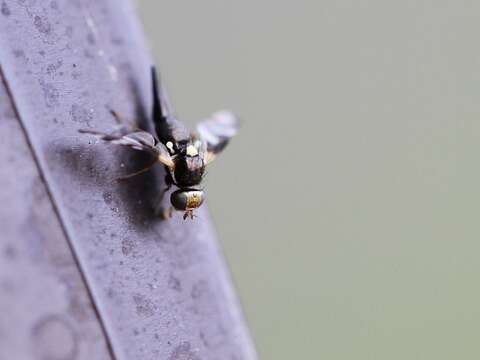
(348, 204)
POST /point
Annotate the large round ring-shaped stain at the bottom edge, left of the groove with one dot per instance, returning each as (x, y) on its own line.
(53, 338)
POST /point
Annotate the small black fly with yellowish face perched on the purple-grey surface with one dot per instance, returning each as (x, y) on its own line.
(183, 153)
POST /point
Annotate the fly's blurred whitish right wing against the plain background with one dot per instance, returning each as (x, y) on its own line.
(217, 131)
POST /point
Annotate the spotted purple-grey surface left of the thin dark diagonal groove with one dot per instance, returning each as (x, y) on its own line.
(45, 310)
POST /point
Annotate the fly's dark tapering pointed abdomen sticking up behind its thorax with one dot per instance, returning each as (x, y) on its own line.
(166, 126)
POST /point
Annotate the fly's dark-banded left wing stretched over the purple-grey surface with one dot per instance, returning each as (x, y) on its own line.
(138, 140)
